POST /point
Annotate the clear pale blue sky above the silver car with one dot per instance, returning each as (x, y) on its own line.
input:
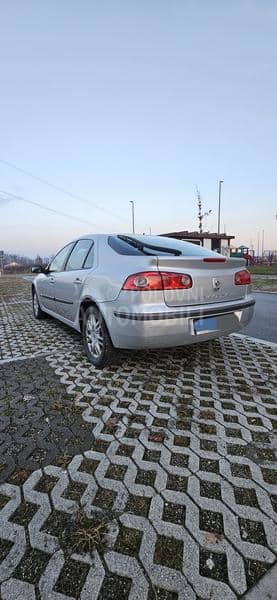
(124, 100)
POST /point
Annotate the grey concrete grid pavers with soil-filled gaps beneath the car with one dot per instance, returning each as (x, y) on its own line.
(154, 478)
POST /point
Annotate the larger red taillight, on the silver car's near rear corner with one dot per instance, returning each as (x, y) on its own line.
(153, 280)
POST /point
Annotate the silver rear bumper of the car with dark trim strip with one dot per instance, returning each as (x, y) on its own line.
(168, 328)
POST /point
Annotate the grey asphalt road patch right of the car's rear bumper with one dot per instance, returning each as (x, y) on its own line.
(264, 322)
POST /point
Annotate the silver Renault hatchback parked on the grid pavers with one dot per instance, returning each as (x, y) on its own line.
(138, 291)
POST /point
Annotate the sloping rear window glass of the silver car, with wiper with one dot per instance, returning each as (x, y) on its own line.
(186, 248)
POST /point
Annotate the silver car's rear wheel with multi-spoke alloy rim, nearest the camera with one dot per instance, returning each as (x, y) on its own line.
(96, 339)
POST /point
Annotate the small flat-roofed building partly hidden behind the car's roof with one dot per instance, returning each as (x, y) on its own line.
(211, 241)
